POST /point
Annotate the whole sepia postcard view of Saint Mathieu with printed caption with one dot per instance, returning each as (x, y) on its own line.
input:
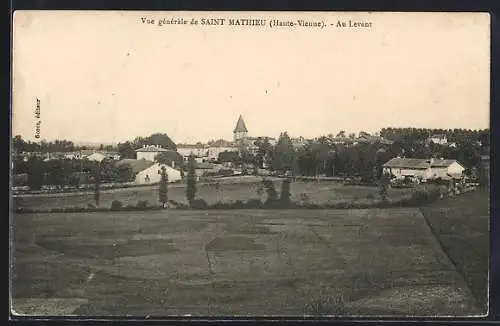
(249, 164)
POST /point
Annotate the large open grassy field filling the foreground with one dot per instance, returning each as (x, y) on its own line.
(257, 262)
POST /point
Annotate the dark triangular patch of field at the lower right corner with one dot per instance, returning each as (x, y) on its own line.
(462, 226)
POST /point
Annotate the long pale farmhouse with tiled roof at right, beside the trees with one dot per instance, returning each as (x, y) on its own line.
(425, 169)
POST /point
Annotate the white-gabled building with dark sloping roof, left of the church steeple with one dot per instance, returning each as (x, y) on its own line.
(149, 172)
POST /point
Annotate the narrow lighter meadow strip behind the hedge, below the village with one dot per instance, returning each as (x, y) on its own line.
(316, 192)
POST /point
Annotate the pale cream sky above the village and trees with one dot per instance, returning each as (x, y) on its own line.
(107, 77)
